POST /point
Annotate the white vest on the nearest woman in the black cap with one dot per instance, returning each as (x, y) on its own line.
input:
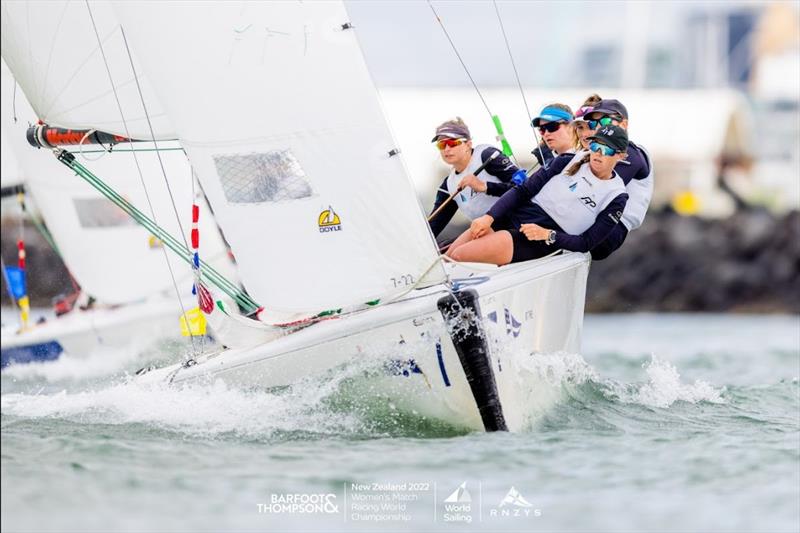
(574, 202)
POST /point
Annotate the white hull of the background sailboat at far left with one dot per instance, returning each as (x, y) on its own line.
(79, 333)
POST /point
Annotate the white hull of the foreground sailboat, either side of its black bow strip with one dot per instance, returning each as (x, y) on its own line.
(544, 302)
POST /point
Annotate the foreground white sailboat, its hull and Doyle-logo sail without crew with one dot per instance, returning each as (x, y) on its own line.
(278, 115)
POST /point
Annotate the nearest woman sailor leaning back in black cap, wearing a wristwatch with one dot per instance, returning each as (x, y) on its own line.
(572, 205)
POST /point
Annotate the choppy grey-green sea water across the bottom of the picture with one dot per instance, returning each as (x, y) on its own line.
(662, 423)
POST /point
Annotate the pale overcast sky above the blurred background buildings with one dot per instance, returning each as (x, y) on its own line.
(404, 44)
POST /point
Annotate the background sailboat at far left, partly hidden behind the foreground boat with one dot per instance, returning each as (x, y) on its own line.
(116, 263)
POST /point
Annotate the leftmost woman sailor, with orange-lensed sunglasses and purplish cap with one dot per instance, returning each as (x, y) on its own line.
(475, 194)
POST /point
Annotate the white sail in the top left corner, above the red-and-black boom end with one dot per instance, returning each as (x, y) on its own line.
(51, 47)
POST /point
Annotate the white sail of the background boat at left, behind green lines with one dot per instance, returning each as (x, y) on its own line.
(114, 259)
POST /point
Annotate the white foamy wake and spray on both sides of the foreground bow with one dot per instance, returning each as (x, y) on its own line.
(338, 405)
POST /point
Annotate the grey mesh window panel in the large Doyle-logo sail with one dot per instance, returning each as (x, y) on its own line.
(262, 177)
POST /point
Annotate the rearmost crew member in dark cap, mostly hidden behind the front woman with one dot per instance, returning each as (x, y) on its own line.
(636, 171)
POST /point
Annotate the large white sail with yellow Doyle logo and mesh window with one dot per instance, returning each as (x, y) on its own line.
(277, 112)
